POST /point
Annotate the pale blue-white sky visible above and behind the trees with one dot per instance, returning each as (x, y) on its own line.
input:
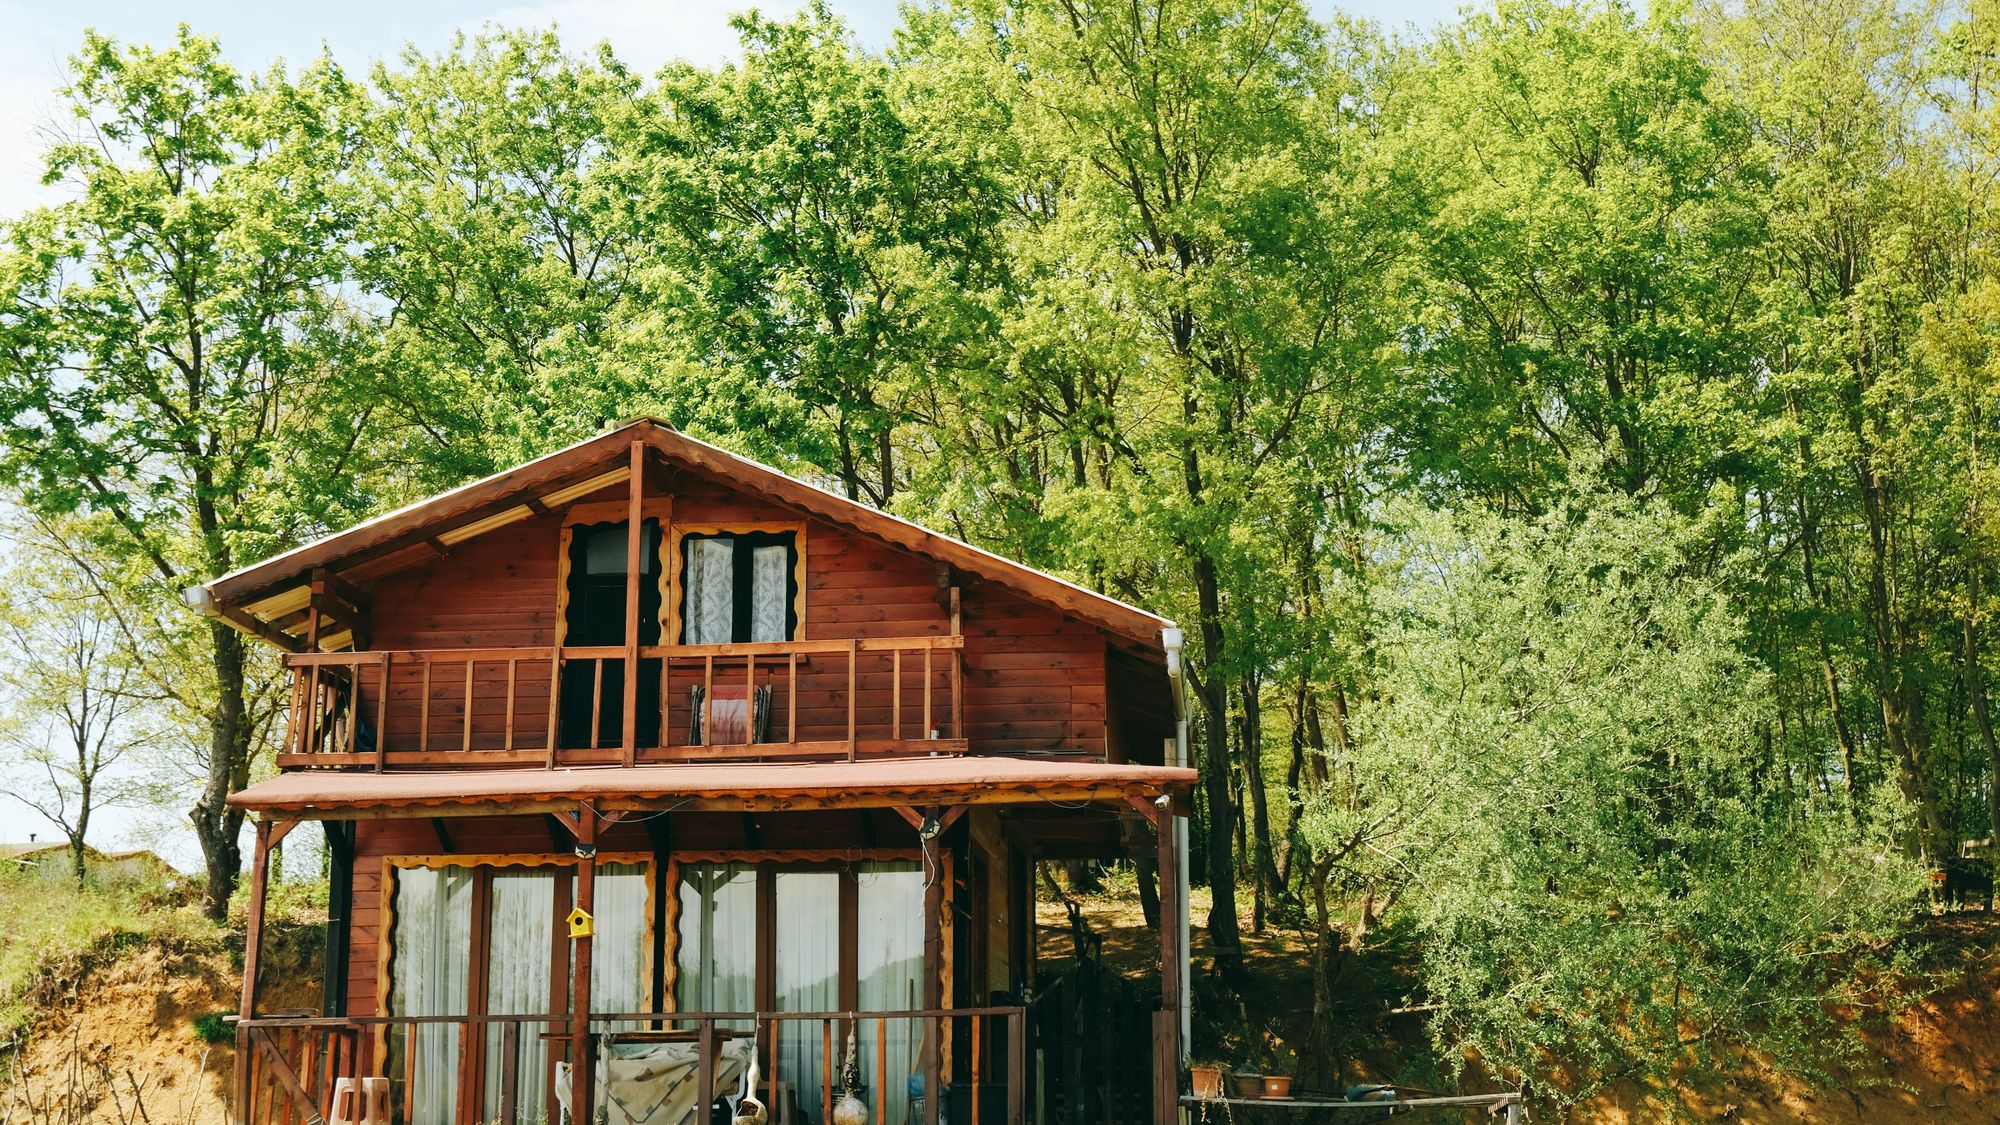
(647, 35)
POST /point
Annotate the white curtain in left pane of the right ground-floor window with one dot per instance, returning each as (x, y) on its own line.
(717, 968)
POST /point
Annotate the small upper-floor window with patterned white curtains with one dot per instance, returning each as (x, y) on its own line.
(739, 588)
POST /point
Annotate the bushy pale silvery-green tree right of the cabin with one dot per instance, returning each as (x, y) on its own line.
(1563, 774)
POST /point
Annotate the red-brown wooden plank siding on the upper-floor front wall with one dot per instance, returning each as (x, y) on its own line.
(1037, 680)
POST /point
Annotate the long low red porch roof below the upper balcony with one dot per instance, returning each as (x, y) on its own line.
(327, 796)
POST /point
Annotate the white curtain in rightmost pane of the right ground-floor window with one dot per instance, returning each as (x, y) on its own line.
(891, 968)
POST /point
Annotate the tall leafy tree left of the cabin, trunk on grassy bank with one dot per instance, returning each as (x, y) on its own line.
(169, 341)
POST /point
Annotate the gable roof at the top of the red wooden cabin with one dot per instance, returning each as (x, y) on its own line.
(263, 596)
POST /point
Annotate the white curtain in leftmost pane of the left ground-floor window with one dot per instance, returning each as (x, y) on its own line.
(429, 976)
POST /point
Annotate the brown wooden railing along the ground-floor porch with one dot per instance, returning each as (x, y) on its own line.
(509, 1070)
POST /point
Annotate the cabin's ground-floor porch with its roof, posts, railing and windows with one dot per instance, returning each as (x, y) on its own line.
(725, 906)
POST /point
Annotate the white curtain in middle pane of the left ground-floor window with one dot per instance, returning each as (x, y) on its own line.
(521, 926)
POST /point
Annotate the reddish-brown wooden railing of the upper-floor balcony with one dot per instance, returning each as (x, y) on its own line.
(567, 706)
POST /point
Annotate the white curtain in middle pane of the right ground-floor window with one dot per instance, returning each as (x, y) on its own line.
(807, 976)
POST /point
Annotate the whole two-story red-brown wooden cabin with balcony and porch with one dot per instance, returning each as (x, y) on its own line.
(655, 760)
